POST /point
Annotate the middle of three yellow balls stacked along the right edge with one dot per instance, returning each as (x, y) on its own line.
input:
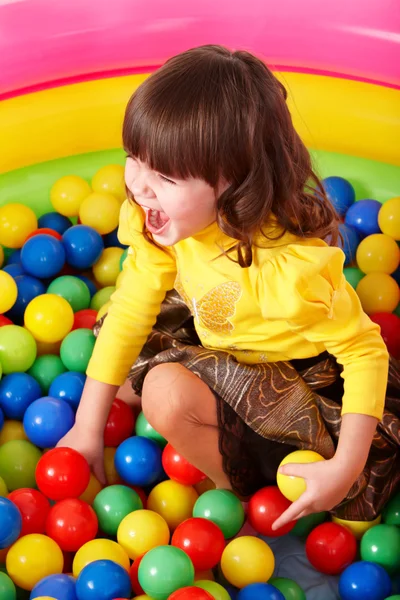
(378, 253)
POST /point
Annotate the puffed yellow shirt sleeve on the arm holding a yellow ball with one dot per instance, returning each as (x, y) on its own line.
(310, 290)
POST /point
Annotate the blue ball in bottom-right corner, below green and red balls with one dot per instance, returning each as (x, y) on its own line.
(364, 581)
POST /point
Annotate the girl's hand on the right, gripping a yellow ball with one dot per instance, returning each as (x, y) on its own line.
(328, 482)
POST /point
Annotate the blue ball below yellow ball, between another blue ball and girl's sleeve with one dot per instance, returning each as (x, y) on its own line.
(83, 246)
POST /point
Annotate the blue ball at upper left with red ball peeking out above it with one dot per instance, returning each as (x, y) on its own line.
(43, 256)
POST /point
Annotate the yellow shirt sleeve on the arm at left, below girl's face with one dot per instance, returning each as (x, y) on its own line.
(149, 272)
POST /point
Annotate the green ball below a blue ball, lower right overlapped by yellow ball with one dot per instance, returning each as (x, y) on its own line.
(112, 504)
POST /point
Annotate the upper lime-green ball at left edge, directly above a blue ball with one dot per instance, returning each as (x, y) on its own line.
(17, 349)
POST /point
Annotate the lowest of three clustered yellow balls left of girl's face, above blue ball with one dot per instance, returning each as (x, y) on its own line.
(100, 211)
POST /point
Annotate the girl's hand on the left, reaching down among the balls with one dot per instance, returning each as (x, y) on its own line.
(90, 445)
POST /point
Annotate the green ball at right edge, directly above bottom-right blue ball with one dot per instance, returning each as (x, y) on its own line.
(381, 545)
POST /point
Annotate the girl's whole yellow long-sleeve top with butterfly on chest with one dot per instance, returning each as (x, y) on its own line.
(292, 302)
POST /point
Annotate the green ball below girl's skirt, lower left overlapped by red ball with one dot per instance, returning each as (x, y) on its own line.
(222, 508)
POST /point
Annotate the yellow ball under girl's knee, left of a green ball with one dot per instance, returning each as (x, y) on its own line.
(173, 501)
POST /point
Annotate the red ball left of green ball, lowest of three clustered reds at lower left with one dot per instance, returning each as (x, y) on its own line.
(71, 523)
